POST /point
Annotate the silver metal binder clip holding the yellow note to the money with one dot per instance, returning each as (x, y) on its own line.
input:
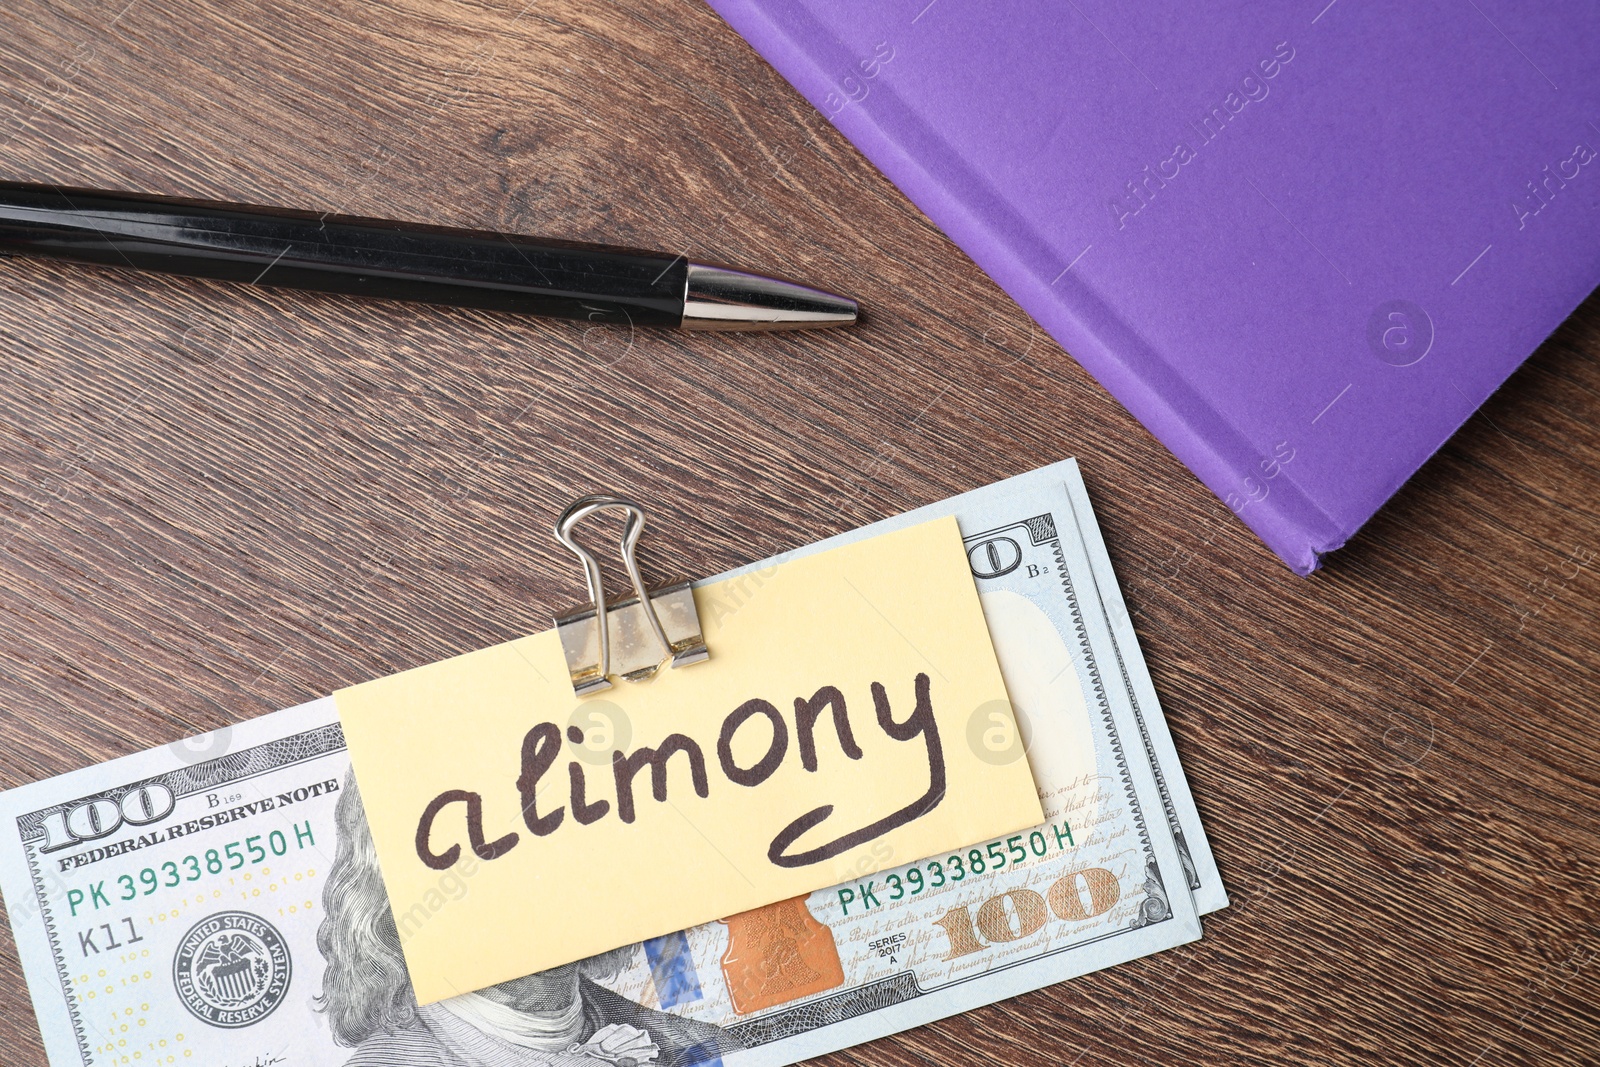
(638, 636)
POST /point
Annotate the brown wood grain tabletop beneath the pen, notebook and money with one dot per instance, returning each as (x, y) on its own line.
(218, 502)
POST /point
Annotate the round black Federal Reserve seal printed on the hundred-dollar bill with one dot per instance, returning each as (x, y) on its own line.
(233, 970)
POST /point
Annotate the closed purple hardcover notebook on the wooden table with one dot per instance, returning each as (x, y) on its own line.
(1302, 242)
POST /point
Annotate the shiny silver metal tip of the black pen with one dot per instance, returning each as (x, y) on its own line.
(719, 298)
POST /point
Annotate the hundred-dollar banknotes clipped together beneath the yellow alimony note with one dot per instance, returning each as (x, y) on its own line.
(218, 903)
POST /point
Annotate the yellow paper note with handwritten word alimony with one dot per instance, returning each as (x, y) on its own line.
(521, 828)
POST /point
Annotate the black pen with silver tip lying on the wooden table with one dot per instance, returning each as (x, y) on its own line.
(332, 254)
